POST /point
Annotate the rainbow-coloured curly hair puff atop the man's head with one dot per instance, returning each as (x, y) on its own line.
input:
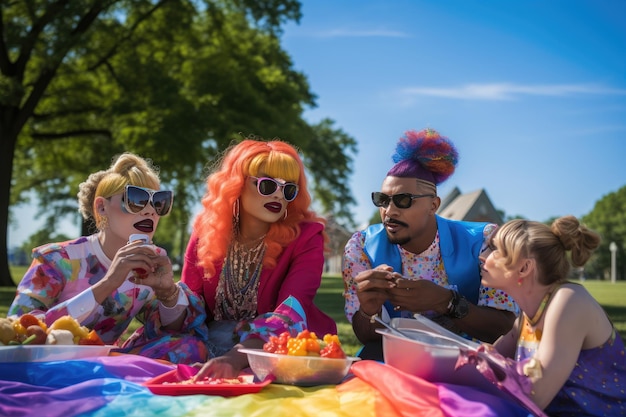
(425, 155)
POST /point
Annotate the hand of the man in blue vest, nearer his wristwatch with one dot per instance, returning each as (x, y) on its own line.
(419, 296)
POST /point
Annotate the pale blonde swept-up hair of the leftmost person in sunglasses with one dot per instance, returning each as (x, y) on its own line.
(125, 169)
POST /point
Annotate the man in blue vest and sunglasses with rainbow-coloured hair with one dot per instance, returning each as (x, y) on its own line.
(416, 261)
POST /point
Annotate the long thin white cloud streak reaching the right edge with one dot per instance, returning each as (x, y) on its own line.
(508, 91)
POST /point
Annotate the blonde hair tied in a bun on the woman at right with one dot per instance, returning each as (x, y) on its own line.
(548, 245)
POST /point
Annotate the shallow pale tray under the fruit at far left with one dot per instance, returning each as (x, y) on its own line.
(46, 353)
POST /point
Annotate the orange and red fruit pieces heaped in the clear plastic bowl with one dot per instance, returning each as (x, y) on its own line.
(305, 343)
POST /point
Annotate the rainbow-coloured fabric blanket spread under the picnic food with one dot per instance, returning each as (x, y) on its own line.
(111, 386)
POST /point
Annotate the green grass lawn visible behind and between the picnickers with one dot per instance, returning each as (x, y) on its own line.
(611, 296)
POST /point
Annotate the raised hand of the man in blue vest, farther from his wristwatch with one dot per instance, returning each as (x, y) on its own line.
(372, 286)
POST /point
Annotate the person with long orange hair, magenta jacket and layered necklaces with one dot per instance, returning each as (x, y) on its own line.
(255, 246)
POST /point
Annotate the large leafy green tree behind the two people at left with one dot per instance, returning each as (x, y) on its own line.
(173, 80)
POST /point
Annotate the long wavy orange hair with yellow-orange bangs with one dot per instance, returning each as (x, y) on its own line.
(214, 224)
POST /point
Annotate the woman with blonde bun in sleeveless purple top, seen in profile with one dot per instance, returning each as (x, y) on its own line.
(565, 343)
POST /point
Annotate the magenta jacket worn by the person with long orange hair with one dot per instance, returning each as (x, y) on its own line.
(298, 273)
